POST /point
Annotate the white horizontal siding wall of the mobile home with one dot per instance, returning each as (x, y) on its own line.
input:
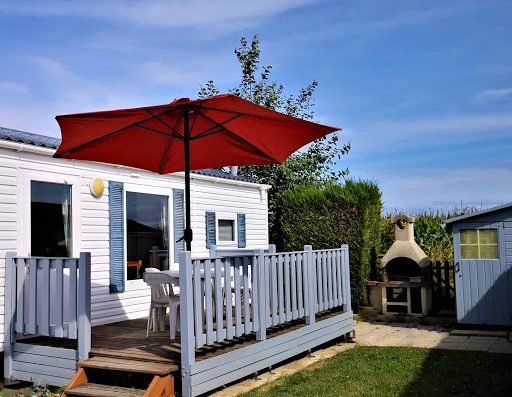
(208, 194)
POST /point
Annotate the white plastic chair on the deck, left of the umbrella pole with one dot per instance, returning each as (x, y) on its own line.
(162, 297)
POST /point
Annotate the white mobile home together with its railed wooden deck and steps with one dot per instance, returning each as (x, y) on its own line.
(75, 239)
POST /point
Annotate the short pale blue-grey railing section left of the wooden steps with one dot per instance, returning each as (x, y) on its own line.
(49, 297)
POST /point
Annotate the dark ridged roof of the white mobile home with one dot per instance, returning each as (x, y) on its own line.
(28, 138)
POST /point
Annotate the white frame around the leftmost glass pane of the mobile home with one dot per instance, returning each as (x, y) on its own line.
(24, 213)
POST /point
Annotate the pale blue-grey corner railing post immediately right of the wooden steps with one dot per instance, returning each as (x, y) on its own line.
(187, 322)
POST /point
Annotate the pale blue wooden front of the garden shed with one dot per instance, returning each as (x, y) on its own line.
(483, 286)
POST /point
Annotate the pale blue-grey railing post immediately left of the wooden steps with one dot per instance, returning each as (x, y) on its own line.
(84, 305)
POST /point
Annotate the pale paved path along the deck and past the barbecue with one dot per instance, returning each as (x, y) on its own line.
(370, 333)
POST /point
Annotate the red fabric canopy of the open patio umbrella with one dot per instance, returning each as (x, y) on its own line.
(223, 130)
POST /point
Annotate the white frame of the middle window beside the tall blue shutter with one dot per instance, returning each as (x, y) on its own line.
(155, 190)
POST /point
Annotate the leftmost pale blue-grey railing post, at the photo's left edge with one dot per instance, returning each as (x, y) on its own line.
(10, 299)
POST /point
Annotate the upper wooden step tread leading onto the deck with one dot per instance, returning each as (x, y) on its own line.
(117, 364)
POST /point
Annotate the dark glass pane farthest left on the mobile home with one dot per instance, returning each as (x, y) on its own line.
(50, 221)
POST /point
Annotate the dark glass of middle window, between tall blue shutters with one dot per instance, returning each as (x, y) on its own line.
(147, 232)
